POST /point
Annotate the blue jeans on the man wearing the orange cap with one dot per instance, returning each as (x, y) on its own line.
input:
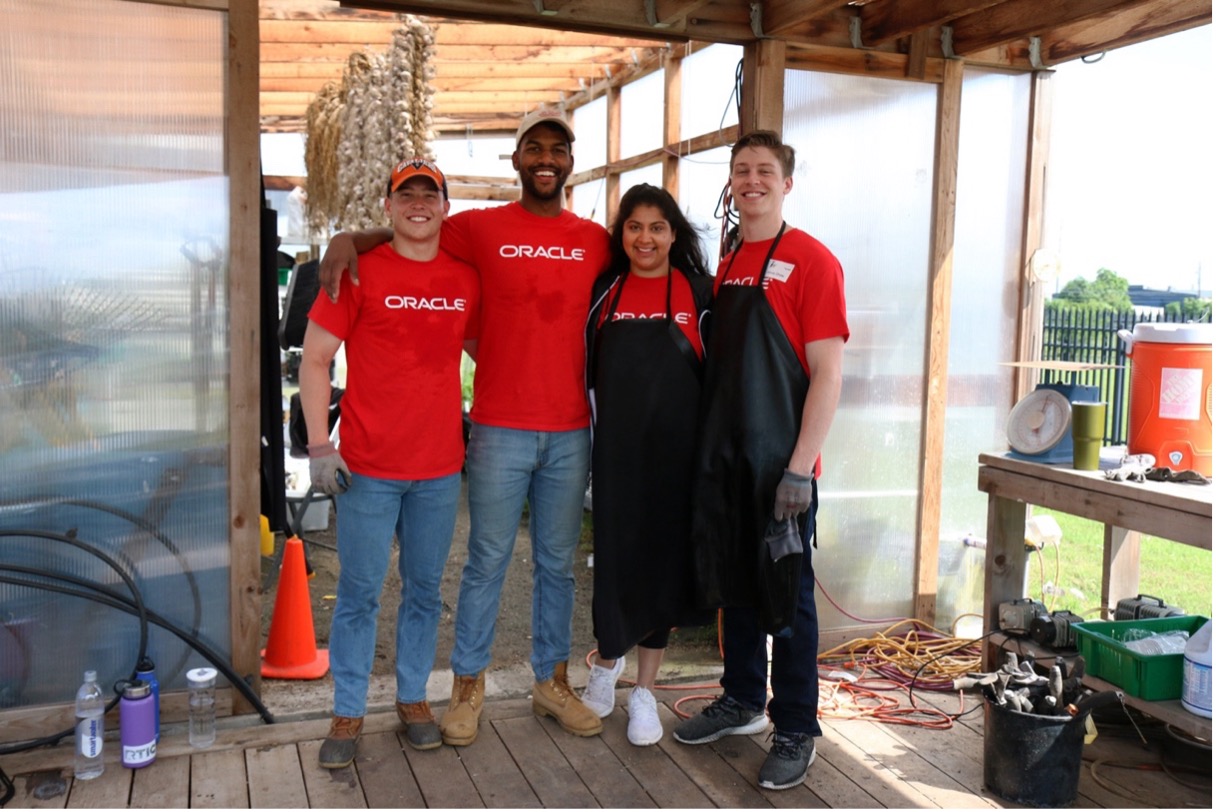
(423, 514)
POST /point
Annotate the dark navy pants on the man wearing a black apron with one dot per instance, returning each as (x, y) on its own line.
(796, 676)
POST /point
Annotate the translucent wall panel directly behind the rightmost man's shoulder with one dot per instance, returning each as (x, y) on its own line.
(864, 187)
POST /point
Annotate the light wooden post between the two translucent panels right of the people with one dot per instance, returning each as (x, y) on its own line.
(933, 430)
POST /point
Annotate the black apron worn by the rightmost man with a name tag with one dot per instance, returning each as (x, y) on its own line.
(751, 416)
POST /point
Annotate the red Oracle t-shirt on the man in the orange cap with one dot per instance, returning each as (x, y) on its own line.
(404, 328)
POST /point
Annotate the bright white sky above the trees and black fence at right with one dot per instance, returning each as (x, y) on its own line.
(1130, 178)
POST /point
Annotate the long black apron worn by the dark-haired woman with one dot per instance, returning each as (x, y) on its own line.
(646, 377)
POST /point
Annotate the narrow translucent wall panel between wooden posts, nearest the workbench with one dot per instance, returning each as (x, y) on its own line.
(983, 319)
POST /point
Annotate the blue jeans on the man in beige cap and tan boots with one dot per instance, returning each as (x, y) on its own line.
(505, 467)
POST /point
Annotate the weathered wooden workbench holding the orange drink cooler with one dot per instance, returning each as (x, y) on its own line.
(1173, 511)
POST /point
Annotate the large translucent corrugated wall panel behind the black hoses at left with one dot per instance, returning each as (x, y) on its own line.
(114, 324)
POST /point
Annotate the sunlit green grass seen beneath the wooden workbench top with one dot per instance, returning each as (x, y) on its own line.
(1179, 574)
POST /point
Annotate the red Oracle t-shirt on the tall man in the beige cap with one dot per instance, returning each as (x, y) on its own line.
(537, 275)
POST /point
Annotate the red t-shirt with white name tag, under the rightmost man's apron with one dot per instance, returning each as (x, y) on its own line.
(804, 286)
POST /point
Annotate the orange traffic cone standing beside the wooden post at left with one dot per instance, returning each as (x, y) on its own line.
(291, 650)
